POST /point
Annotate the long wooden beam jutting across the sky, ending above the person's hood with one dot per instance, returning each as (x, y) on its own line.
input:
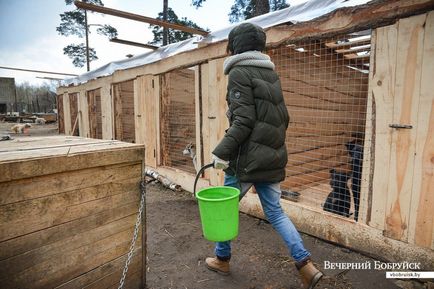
(137, 17)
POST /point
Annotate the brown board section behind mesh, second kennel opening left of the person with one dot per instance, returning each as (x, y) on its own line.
(123, 110)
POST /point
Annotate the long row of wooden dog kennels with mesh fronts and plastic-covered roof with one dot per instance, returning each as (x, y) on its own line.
(356, 82)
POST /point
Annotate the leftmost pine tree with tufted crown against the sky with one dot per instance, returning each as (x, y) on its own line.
(74, 23)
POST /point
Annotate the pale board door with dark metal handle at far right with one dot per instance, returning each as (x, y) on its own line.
(402, 90)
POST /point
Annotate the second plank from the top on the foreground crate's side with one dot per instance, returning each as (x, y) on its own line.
(27, 189)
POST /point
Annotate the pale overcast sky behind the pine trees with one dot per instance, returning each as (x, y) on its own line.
(28, 36)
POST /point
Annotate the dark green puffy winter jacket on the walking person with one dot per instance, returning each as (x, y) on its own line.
(255, 141)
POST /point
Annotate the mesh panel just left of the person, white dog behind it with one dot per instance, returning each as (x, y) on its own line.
(178, 118)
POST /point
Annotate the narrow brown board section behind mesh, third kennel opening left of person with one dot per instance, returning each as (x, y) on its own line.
(95, 113)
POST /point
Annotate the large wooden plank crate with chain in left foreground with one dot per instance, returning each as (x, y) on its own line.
(68, 206)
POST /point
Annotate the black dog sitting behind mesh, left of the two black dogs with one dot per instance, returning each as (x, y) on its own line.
(339, 199)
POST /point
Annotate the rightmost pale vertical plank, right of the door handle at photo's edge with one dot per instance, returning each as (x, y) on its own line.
(421, 223)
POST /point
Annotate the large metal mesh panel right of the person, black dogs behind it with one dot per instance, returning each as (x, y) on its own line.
(325, 85)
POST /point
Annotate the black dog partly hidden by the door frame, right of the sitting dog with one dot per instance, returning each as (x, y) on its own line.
(356, 153)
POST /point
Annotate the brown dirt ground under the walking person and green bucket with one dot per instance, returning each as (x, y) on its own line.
(176, 253)
